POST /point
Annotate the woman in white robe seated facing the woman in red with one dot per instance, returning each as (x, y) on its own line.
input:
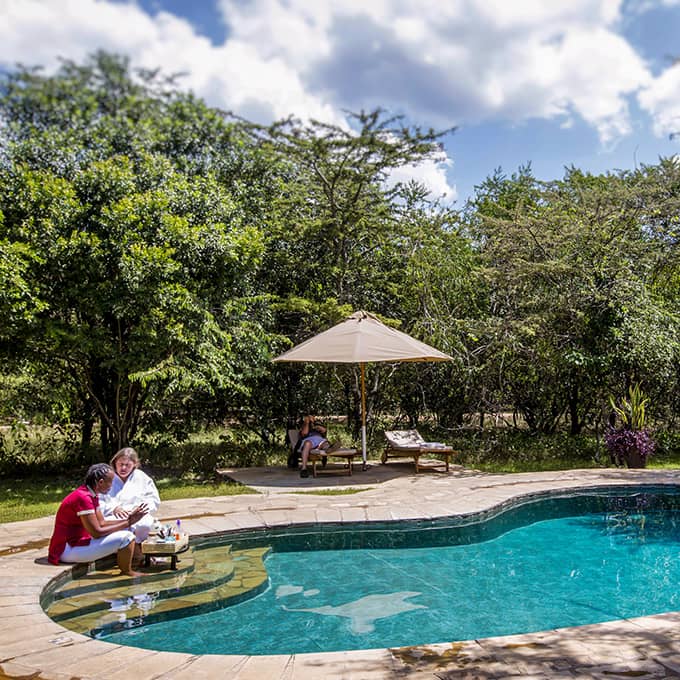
(131, 486)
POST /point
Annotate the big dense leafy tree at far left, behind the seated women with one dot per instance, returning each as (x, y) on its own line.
(128, 266)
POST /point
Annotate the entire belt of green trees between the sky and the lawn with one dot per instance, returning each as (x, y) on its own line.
(155, 253)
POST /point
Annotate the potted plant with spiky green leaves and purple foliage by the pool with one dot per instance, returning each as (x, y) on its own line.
(631, 443)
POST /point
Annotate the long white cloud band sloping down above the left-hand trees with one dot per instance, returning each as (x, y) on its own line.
(236, 75)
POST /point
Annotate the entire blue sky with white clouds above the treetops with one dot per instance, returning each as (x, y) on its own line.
(553, 83)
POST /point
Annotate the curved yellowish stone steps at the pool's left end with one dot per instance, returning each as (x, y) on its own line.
(219, 577)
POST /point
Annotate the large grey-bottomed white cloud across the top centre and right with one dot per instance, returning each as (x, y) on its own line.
(463, 61)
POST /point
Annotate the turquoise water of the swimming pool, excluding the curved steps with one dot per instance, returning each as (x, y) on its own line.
(564, 571)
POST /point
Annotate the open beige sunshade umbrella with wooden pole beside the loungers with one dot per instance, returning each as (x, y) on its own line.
(362, 338)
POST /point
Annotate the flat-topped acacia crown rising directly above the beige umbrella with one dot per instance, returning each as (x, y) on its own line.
(336, 211)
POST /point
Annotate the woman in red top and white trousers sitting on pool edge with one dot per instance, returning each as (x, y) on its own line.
(81, 534)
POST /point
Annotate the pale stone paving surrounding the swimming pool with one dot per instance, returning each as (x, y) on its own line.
(33, 646)
